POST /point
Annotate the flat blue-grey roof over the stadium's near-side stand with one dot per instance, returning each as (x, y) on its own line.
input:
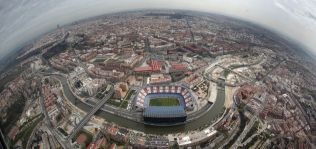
(164, 112)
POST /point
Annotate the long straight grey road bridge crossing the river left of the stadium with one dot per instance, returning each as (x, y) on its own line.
(90, 114)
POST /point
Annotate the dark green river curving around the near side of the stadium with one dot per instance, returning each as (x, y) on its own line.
(112, 116)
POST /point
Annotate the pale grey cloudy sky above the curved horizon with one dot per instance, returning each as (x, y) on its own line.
(22, 20)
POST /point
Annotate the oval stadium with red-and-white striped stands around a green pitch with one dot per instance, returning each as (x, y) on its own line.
(164, 105)
